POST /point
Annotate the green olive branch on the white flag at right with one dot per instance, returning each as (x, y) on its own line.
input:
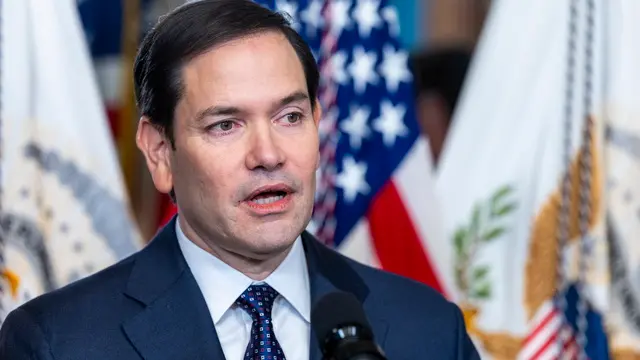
(484, 227)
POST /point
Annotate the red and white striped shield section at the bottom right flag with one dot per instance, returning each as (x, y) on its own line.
(550, 337)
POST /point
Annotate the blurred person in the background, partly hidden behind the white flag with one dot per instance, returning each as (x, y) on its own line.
(439, 76)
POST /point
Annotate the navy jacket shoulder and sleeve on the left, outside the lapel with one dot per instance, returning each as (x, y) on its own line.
(76, 321)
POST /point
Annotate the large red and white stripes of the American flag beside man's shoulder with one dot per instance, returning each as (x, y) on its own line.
(402, 231)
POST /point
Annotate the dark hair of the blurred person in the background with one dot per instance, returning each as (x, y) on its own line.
(441, 70)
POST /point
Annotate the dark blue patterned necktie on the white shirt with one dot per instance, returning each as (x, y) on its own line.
(258, 301)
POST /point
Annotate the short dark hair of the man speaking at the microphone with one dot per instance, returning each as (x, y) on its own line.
(191, 30)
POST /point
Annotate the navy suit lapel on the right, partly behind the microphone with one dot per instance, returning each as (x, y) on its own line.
(330, 272)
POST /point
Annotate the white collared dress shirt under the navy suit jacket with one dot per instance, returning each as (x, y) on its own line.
(221, 285)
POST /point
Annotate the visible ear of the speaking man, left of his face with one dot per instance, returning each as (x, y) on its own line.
(157, 151)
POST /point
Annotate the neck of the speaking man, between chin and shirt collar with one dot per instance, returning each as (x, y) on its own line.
(256, 267)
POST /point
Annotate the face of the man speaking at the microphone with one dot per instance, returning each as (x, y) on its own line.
(246, 146)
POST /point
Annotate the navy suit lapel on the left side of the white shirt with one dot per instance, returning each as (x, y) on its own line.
(175, 321)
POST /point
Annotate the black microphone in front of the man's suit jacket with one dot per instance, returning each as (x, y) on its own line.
(342, 329)
